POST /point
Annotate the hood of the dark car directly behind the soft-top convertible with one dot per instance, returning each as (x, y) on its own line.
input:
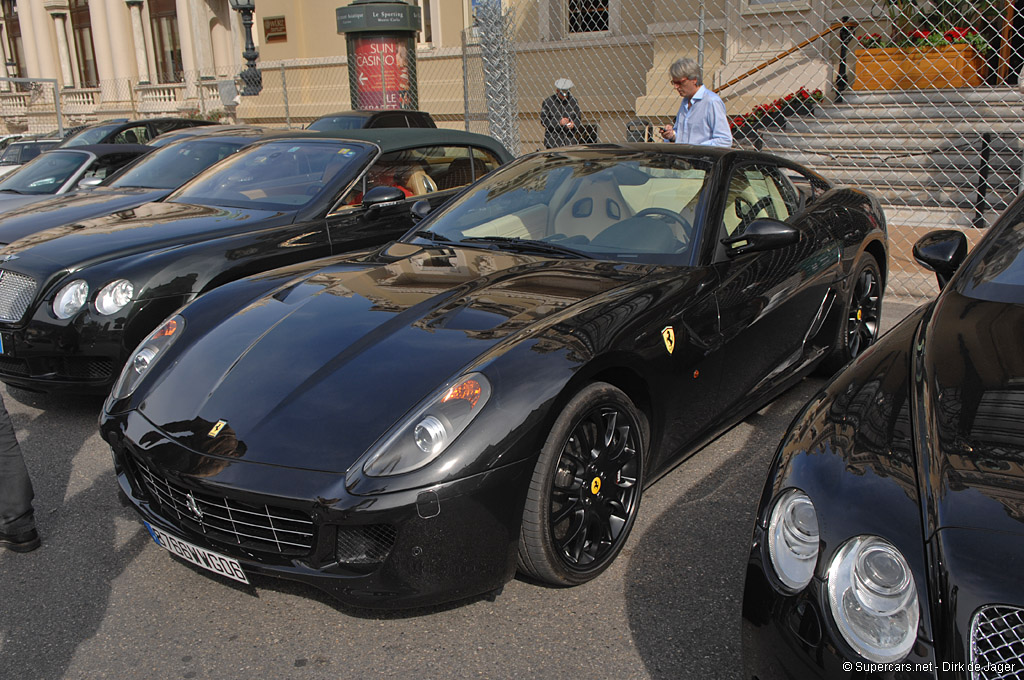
(70, 208)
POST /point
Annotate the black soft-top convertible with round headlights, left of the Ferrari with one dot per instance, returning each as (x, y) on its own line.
(76, 300)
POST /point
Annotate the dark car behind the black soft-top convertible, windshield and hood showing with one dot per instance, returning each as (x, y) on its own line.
(150, 179)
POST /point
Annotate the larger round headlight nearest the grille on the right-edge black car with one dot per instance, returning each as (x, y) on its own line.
(874, 600)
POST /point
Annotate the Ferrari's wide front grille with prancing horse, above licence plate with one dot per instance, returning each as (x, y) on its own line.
(262, 528)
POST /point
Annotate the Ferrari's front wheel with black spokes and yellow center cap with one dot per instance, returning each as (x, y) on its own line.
(586, 489)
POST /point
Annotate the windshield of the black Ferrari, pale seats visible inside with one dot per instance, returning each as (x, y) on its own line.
(631, 206)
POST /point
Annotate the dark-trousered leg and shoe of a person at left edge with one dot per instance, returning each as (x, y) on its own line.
(18, 526)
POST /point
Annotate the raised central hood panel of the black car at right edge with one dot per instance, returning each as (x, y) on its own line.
(976, 399)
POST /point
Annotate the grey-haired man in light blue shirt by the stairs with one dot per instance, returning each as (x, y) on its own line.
(702, 118)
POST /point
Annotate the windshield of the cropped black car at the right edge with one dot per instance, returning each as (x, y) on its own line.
(997, 271)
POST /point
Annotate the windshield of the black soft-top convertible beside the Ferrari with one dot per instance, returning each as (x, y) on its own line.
(285, 175)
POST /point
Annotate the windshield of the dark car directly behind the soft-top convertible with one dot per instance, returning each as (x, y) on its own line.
(175, 165)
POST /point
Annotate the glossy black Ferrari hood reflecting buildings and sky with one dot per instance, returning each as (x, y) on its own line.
(312, 375)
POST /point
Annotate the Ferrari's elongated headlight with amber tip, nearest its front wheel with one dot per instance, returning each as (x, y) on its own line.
(425, 437)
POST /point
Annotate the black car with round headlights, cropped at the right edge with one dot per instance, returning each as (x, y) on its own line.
(889, 540)
